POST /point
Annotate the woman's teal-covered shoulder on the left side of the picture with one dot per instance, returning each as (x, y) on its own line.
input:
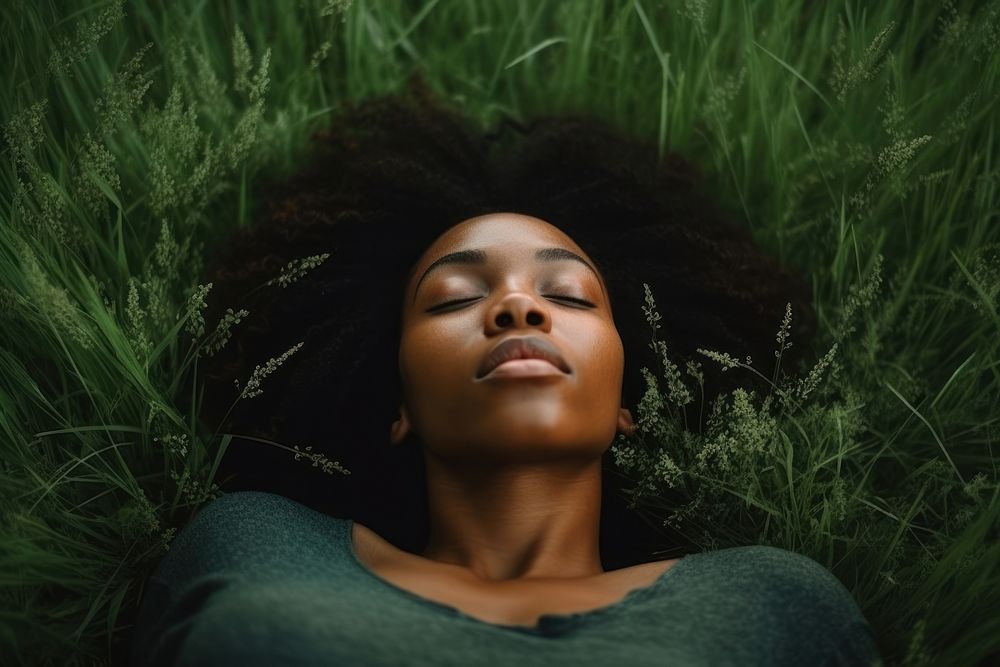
(239, 550)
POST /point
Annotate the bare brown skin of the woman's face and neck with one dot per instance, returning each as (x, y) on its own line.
(514, 464)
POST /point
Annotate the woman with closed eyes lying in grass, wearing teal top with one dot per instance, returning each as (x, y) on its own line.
(455, 290)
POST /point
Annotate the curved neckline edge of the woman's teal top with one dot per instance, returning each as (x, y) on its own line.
(548, 624)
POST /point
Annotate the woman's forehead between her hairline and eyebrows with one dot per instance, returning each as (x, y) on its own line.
(497, 230)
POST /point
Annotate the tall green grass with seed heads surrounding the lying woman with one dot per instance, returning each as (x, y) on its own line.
(857, 140)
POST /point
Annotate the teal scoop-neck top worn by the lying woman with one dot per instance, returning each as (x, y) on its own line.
(259, 579)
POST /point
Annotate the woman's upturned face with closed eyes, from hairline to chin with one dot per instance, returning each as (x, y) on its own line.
(513, 277)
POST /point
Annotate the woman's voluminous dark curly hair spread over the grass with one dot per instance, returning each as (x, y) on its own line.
(388, 177)
